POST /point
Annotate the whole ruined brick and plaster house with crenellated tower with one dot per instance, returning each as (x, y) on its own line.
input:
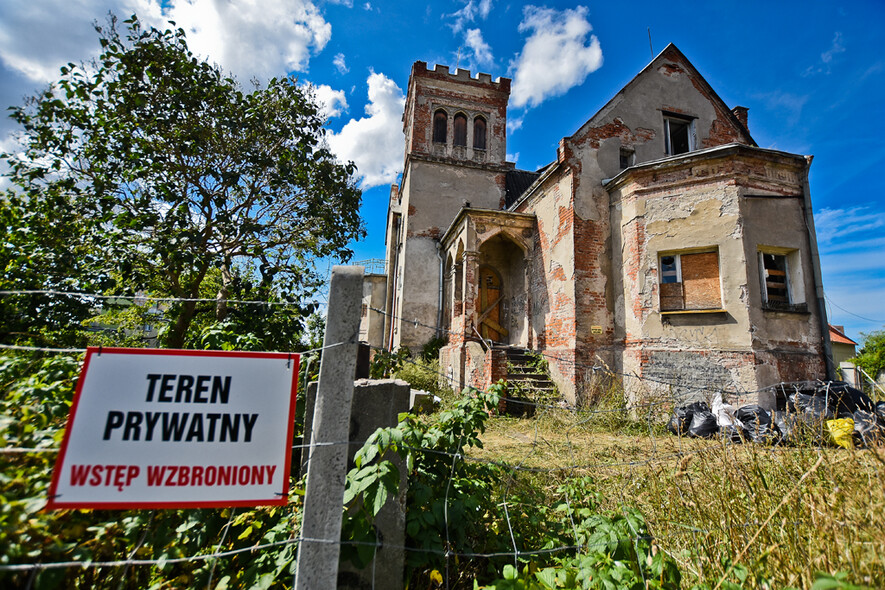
(661, 241)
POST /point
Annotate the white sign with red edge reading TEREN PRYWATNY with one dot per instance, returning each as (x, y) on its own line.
(153, 428)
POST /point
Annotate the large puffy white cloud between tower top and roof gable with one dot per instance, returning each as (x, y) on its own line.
(556, 56)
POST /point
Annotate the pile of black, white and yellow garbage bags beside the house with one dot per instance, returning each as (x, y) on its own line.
(807, 411)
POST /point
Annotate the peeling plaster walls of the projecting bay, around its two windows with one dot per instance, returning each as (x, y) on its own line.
(731, 204)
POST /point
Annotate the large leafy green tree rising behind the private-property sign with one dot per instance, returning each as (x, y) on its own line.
(163, 169)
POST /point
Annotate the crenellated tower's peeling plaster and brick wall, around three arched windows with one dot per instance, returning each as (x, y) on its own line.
(438, 180)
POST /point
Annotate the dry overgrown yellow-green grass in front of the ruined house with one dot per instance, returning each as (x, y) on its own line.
(730, 515)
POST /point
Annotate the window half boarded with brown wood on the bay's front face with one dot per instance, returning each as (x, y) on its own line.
(690, 282)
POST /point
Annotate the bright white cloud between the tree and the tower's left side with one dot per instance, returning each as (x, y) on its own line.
(375, 142)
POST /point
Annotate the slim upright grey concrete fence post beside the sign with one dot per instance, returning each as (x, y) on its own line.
(318, 552)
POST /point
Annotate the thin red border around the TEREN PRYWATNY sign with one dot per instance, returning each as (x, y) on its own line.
(283, 499)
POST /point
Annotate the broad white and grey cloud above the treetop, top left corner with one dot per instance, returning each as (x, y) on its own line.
(261, 38)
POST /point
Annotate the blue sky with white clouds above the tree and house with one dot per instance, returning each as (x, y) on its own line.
(812, 74)
